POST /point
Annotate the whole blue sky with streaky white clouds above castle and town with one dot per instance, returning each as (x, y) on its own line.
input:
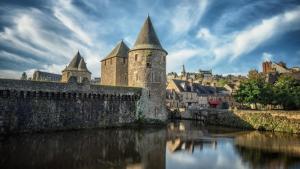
(228, 36)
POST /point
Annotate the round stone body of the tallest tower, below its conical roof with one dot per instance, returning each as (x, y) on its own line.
(147, 69)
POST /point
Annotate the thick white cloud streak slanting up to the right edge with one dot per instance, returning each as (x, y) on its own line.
(247, 40)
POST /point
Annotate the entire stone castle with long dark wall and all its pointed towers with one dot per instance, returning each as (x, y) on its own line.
(132, 88)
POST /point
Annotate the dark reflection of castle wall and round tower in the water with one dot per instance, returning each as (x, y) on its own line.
(112, 148)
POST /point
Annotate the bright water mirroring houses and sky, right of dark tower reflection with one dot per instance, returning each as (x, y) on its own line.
(214, 147)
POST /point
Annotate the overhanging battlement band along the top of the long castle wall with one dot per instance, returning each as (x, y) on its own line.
(51, 90)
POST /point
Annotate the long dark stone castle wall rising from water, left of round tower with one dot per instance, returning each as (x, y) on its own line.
(38, 106)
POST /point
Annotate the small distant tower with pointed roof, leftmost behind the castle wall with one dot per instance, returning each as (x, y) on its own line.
(77, 68)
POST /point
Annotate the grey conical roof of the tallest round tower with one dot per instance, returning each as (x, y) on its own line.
(147, 37)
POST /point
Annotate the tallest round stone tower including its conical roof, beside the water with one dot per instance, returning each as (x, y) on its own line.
(147, 69)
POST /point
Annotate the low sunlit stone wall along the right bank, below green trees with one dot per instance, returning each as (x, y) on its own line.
(274, 120)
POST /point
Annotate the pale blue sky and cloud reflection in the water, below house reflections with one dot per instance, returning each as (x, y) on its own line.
(224, 156)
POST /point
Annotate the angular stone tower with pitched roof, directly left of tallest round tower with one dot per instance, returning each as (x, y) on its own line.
(114, 66)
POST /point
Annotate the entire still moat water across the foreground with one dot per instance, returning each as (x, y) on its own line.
(180, 145)
